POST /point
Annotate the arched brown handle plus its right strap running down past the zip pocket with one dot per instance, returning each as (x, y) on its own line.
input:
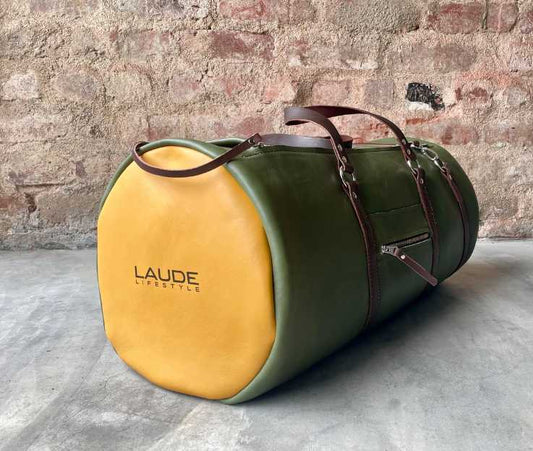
(296, 115)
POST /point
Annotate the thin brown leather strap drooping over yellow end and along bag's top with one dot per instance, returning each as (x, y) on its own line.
(270, 139)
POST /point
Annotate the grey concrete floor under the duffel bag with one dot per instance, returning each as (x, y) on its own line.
(453, 371)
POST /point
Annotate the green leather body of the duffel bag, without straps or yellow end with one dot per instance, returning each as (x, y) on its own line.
(318, 258)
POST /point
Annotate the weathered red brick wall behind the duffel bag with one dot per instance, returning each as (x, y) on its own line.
(81, 80)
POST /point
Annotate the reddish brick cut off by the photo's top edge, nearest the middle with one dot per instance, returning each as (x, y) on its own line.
(254, 9)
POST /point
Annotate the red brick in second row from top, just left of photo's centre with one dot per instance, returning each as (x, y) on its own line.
(241, 46)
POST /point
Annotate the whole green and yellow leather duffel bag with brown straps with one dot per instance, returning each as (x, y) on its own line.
(227, 267)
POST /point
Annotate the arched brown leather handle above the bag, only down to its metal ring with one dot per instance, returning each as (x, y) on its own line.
(297, 115)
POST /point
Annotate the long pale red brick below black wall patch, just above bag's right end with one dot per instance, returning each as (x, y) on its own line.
(445, 131)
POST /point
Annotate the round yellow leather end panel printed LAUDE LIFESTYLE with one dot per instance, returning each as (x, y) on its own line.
(209, 329)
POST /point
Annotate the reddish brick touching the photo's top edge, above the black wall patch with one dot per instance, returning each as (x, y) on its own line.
(456, 17)
